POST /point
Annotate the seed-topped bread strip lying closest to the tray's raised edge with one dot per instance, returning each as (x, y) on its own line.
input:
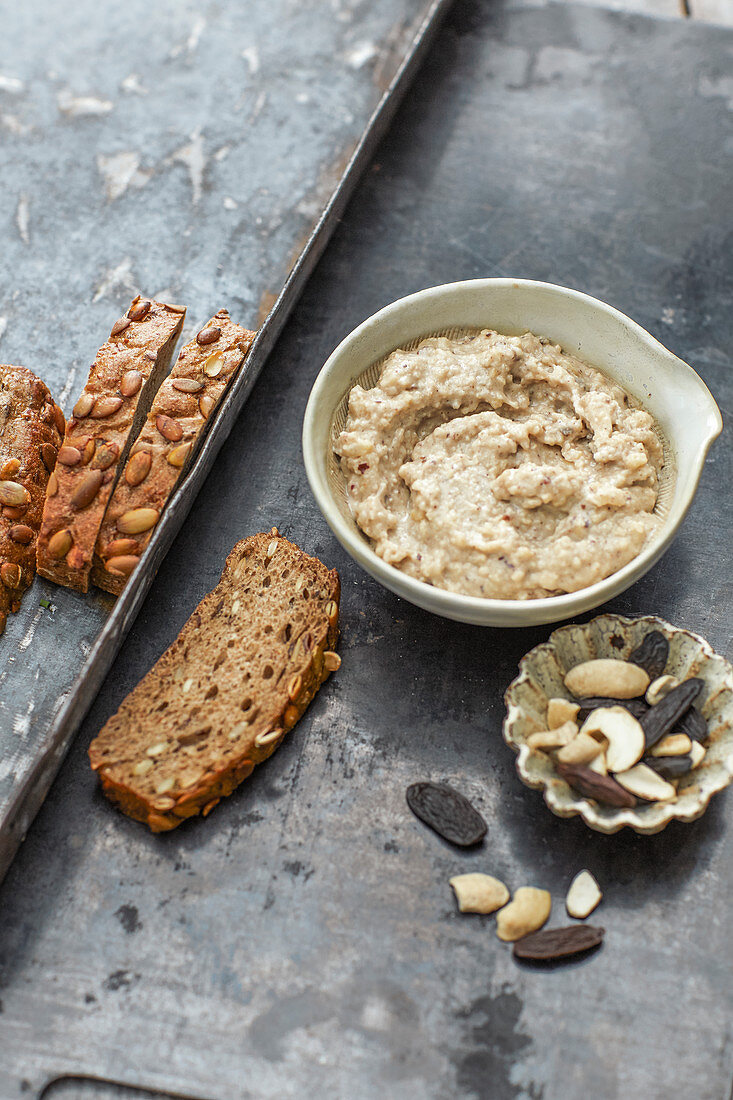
(167, 446)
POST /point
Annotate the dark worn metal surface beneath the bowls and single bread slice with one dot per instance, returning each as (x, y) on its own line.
(303, 941)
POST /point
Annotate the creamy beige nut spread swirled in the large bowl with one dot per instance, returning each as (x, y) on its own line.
(500, 467)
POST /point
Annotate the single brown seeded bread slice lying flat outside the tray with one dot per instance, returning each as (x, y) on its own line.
(223, 697)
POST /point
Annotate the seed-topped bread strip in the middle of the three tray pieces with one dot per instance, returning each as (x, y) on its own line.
(106, 420)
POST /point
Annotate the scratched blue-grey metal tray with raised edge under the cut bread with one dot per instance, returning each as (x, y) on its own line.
(199, 160)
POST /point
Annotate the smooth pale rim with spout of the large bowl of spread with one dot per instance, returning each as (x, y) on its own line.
(476, 609)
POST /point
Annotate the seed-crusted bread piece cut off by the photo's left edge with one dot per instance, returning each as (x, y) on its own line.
(31, 431)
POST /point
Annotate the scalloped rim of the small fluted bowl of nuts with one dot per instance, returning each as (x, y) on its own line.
(582, 807)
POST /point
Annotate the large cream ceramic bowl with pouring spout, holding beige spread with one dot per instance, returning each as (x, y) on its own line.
(679, 400)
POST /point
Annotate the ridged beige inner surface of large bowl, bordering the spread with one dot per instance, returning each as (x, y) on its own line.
(369, 379)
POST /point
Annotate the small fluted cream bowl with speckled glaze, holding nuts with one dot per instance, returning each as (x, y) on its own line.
(541, 678)
